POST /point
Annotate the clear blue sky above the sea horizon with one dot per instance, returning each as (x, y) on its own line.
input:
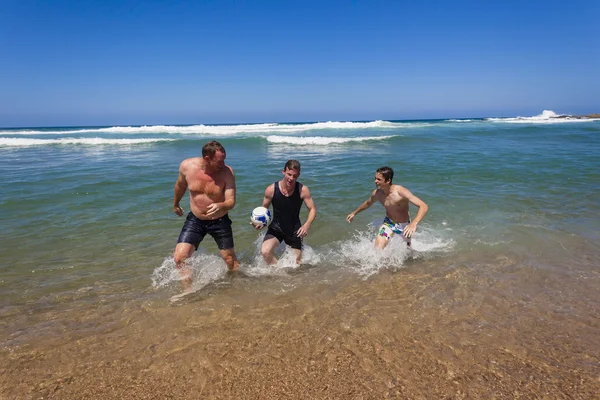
(65, 63)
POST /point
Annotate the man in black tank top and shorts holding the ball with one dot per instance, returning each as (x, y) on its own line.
(287, 196)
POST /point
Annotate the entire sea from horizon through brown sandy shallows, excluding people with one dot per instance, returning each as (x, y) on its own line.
(498, 297)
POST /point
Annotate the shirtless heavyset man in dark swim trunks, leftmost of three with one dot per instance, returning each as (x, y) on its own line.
(212, 194)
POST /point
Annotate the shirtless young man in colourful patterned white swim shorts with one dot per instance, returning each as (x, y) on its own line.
(395, 199)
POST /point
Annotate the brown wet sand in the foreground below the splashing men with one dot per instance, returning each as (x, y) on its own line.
(463, 331)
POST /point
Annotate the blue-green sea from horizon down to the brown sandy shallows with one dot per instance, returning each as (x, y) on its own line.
(86, 213)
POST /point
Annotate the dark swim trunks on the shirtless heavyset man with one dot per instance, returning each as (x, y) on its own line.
(194, 230)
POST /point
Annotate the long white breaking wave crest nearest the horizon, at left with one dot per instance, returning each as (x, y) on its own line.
(217, 130)
